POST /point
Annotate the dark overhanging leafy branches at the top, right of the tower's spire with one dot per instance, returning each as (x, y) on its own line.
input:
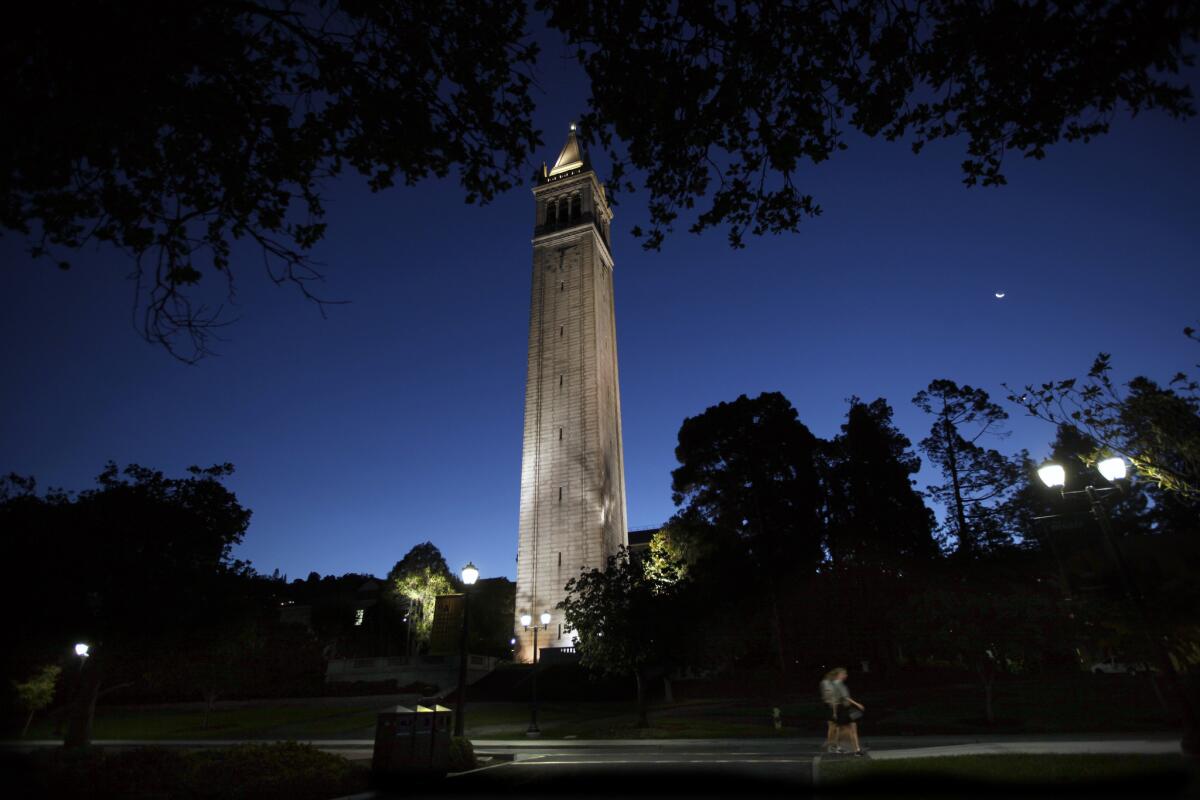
(727, 103)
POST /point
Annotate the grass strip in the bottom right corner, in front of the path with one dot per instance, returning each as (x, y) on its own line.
(1115, 773)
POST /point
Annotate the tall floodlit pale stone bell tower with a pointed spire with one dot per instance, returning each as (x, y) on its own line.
(573, 474)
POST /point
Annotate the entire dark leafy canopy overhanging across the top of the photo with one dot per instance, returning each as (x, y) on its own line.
(175, 130)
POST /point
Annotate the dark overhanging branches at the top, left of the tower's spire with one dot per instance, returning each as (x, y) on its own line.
(171, 130)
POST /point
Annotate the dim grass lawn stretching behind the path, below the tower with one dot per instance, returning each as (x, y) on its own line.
(1066, 705)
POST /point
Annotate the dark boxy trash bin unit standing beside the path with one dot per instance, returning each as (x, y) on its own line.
(411, 743)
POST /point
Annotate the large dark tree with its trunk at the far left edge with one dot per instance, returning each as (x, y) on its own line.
(118, 567)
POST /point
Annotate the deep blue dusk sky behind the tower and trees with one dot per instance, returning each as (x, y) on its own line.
(399, 418)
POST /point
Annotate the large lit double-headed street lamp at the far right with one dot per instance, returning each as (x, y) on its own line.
(1114, 471)
